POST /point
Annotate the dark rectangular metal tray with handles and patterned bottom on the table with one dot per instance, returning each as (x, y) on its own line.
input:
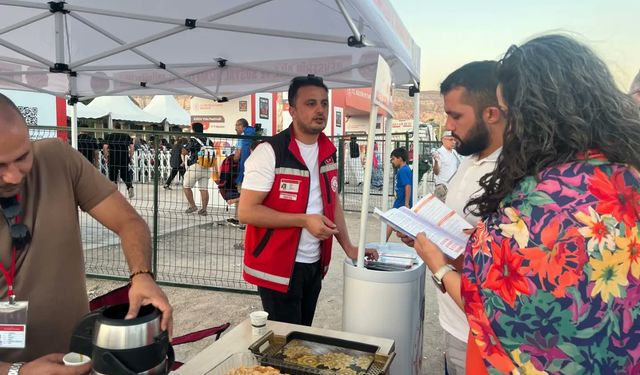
(271, 351)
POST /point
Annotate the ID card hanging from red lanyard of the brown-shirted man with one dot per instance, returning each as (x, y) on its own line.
(13, 325)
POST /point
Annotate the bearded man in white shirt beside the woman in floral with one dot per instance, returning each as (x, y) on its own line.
(477, 124)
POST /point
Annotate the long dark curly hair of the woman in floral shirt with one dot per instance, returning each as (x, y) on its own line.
(561, 102)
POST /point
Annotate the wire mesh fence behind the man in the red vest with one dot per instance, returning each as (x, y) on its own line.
(198, 248)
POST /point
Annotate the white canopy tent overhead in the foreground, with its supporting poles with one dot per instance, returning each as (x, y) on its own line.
(220, 50)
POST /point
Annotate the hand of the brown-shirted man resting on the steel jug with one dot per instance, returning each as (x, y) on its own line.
(144, 291)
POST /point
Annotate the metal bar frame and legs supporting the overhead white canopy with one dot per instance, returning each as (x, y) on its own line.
(58, 10)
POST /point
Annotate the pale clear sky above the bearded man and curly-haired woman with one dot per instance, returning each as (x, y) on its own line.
(451, 33)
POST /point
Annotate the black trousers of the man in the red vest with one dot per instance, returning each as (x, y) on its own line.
(298, 305)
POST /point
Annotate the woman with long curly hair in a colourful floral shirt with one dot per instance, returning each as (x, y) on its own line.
(551, 277)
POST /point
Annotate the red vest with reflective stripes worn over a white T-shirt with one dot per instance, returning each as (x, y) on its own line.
(270, 254)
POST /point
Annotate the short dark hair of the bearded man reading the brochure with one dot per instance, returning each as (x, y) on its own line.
(479, 79)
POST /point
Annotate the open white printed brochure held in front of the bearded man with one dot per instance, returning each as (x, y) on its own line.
(441, 224)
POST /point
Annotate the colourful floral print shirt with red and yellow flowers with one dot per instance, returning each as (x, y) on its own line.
(551, 282)
